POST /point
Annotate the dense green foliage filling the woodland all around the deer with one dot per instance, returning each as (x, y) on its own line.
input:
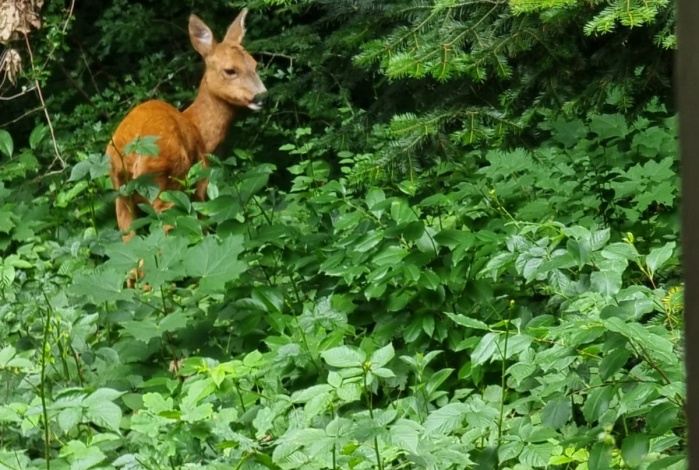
(394, 268)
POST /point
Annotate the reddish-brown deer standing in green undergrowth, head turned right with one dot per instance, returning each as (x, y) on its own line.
(230, 82)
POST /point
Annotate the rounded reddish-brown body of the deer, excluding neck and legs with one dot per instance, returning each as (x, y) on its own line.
(179, 140)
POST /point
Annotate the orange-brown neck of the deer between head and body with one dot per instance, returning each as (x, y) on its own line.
(211, 116)
